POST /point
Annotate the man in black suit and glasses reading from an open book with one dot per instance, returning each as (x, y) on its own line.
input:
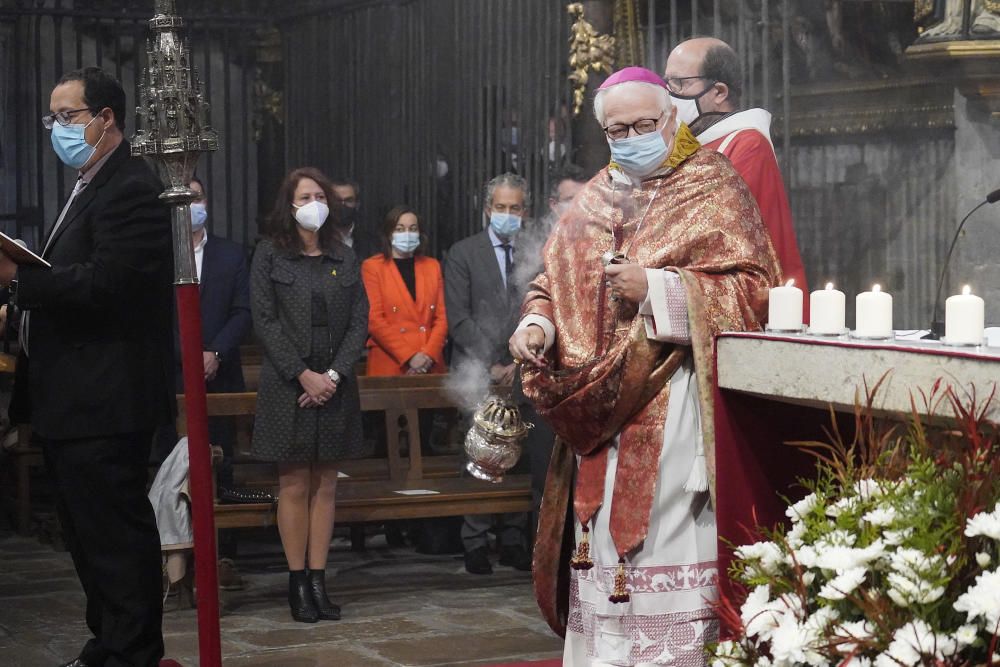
(94, 376)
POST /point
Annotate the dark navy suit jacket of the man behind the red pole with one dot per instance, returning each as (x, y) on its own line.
(224, 291)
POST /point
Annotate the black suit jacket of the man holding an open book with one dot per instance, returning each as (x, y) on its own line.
(99, 330)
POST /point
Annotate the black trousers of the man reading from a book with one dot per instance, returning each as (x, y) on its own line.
(110, 530)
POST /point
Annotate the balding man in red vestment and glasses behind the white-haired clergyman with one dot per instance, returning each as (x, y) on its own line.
(704, 78)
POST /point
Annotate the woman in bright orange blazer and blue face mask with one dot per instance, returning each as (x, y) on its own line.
(407, 326)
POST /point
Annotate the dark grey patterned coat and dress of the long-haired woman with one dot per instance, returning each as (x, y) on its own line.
(308, 312)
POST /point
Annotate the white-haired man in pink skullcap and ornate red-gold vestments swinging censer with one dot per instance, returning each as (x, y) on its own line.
(658, 253)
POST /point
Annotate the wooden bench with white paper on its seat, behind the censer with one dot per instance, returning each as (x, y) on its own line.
(397, 487)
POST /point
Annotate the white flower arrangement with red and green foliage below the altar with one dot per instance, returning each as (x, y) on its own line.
(891, 560)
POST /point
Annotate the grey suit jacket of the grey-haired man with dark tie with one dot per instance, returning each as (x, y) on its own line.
(482, 315)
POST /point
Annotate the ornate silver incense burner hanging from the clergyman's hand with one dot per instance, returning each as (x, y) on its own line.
(493, 444)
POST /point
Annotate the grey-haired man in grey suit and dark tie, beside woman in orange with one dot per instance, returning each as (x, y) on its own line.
(483, 304)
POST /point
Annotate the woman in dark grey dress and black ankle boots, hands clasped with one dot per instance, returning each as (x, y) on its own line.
(311, 314)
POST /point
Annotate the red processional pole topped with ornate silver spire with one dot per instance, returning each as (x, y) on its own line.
(173, 130)
